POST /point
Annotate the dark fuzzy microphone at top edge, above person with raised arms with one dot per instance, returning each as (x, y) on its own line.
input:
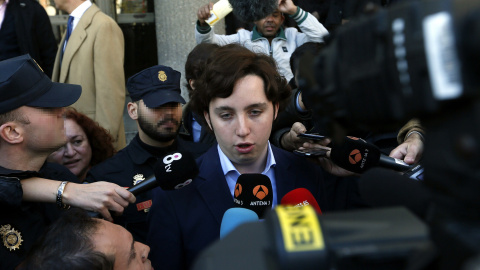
(253, 10)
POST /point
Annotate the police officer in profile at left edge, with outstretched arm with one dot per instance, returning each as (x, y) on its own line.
(31, 128)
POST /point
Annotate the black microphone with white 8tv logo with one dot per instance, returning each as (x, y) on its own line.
(174, 171)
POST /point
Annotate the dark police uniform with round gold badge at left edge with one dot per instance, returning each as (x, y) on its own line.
(22, 223)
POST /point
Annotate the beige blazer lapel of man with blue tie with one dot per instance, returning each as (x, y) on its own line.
(76, 39)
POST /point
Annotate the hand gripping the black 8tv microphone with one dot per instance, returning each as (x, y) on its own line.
(98, 197)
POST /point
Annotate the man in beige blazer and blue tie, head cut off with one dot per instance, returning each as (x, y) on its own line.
(91, 54)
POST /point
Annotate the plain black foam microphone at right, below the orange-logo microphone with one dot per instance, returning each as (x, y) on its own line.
(383, 188)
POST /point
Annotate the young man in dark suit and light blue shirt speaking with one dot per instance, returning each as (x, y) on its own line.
(239, 96)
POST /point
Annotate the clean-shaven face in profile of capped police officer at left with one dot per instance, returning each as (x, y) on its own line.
(45, 130)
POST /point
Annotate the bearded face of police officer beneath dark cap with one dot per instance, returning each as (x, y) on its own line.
(160, 124)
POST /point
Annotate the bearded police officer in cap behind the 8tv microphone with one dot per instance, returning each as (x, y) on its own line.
(156, 107)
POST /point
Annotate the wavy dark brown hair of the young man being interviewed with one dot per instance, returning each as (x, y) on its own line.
(229, 64)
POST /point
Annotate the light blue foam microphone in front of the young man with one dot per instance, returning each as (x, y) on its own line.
(234, 217)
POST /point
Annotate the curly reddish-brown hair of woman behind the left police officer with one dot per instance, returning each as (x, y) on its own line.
(99, 138)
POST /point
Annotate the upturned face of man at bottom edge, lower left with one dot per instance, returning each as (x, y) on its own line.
(114, 240)
